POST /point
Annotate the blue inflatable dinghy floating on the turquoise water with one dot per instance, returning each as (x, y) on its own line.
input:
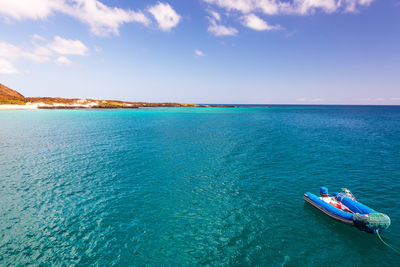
(345, 208)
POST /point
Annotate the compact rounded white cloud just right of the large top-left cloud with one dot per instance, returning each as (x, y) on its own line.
(165, 16)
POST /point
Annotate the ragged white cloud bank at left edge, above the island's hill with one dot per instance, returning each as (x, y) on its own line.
(45, 52)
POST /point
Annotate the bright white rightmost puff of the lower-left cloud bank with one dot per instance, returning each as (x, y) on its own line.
(68, 47)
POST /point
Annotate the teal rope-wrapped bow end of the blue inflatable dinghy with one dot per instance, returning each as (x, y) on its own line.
(372, 222)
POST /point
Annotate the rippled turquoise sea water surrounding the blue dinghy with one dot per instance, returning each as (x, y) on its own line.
(195, 186)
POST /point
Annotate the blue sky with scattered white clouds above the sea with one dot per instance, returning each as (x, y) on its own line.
(204, 51)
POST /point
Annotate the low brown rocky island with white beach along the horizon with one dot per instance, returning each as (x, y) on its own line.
(11, 99)
